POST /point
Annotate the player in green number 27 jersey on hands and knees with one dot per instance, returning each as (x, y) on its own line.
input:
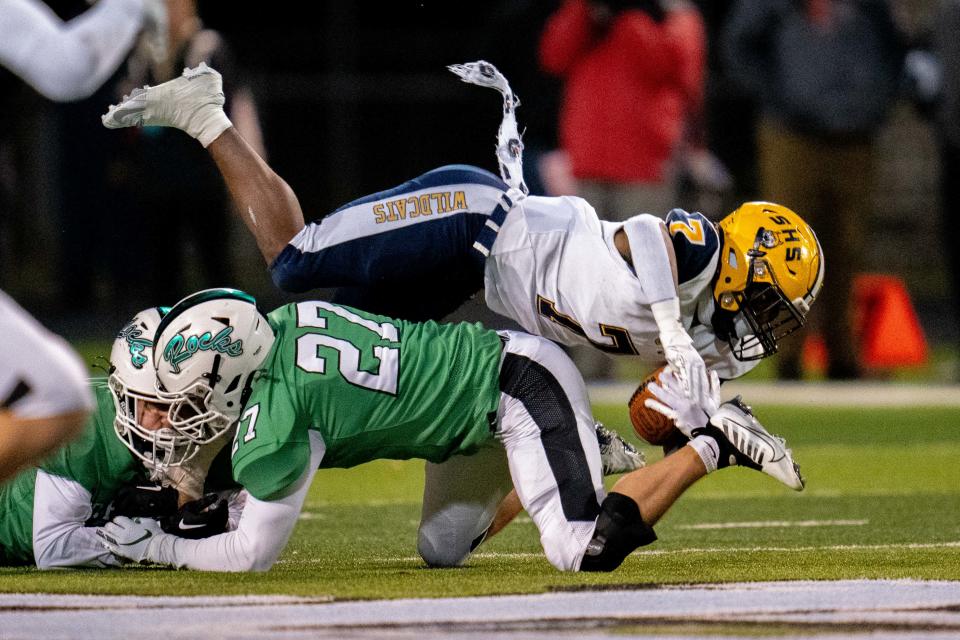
(317, 385)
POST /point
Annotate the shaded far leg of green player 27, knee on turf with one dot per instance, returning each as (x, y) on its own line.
(460, 498)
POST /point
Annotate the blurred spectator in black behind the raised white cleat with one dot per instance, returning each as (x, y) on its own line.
(178, 208)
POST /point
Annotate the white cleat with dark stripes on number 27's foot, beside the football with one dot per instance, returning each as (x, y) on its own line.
(744, 441)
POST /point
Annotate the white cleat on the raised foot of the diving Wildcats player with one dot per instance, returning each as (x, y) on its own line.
(193, 103)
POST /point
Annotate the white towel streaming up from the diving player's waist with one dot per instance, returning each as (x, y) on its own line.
(509, 143)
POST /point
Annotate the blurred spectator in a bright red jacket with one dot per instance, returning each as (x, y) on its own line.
(633, 75)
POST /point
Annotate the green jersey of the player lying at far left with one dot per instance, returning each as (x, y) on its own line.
(97, 460)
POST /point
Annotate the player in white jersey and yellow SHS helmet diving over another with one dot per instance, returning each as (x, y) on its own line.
(680, 291)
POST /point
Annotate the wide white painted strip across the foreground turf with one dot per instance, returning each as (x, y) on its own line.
(878, 608)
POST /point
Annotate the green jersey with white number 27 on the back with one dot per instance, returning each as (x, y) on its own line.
(373, 388)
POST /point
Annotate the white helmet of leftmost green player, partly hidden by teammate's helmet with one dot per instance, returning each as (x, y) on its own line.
(132, 382)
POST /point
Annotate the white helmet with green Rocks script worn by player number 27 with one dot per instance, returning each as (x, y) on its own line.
(208, 349)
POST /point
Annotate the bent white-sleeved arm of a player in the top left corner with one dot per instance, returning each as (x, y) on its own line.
(67, 61)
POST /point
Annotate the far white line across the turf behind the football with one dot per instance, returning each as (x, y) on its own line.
(823, 394)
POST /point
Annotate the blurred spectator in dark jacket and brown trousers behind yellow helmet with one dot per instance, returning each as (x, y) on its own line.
(825, 73)
